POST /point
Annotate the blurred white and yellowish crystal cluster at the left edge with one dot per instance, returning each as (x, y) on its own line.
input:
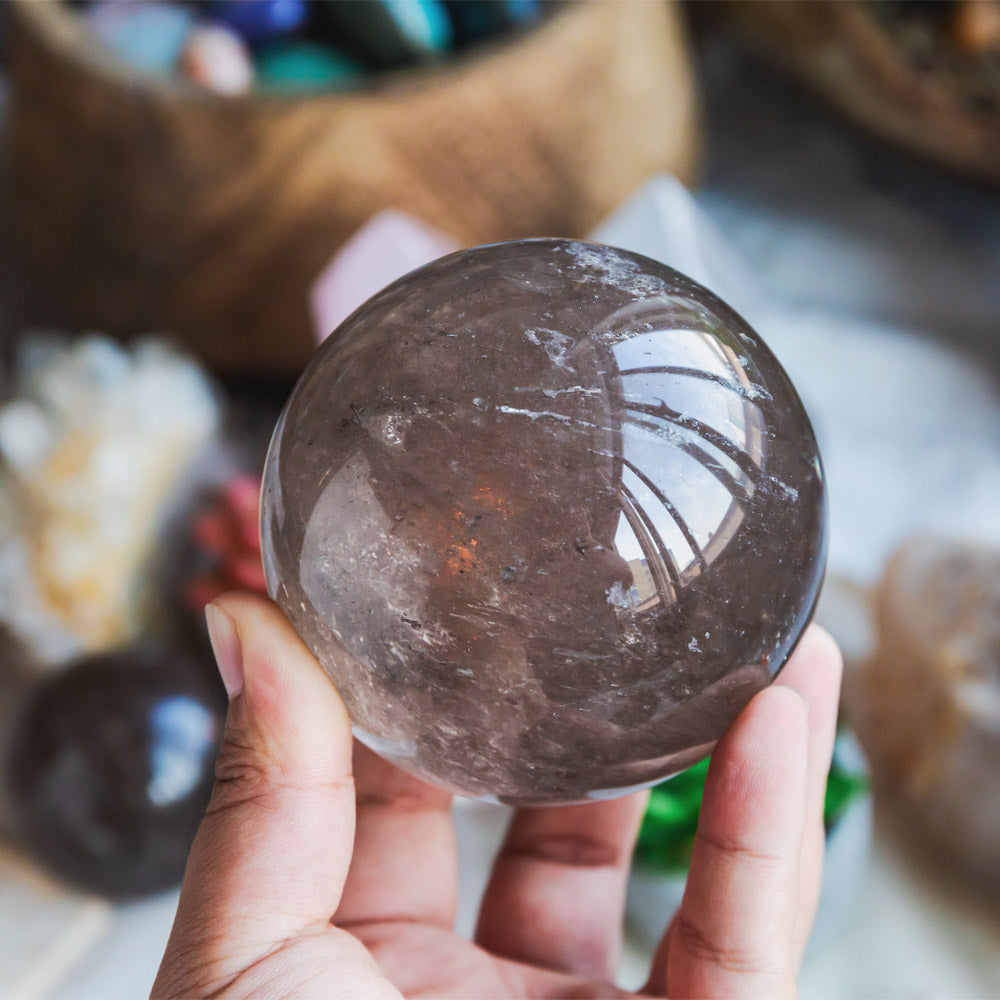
(94, 438)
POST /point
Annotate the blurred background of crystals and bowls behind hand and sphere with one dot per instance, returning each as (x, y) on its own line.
(194, 194)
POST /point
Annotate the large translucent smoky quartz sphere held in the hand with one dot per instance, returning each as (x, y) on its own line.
(549, 514)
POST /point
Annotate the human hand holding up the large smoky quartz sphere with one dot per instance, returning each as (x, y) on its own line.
(311, 876)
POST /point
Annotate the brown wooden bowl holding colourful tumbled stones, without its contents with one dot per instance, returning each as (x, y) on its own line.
(140, 204)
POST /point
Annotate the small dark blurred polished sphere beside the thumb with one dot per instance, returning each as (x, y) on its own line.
(110, 769)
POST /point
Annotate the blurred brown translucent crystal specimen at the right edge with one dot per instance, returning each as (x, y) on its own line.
(926, 704)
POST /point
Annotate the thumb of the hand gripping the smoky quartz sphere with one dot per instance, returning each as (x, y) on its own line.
(271, 856)
